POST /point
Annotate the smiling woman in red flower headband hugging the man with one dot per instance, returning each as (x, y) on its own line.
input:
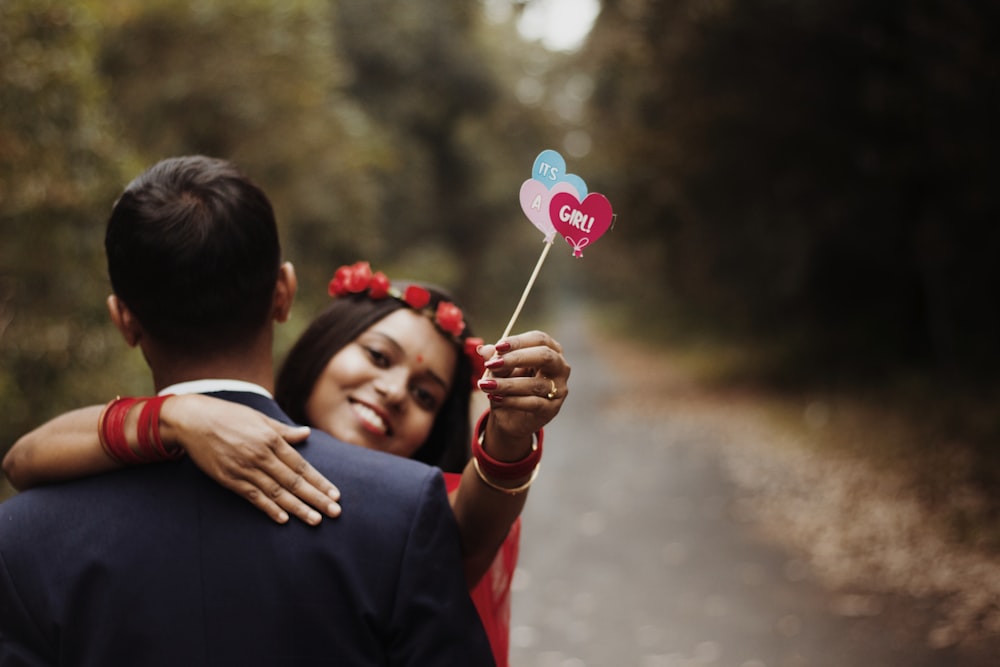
(383, 368)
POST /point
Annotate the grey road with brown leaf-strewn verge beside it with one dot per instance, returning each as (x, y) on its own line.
(675, 525)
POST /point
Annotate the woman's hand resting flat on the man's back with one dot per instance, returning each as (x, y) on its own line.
(251, 455)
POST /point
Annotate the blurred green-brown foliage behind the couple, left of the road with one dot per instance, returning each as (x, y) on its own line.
(394, 141)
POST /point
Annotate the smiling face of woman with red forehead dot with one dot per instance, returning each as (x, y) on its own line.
(383, 390)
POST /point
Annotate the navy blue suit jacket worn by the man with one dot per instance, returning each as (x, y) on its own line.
(159, 565)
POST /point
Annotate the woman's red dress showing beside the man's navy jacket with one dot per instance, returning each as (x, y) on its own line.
(492, 594)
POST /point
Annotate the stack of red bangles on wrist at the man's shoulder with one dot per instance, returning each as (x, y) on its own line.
(114, 441)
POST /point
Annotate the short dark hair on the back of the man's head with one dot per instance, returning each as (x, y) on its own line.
(193, 251)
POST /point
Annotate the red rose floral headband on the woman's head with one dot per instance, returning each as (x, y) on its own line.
(447, 317)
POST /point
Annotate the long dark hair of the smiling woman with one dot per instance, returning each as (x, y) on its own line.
(346, 318)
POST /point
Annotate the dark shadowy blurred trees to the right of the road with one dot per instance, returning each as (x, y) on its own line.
(815, 173)
